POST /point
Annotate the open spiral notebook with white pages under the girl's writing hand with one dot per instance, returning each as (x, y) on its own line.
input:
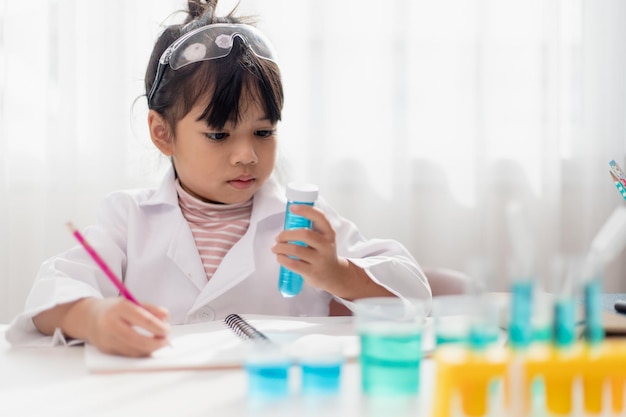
(222, 345)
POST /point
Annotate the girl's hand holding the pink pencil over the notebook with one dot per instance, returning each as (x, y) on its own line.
(120, 327)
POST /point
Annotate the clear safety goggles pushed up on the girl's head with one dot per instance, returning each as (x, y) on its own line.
(210, 42)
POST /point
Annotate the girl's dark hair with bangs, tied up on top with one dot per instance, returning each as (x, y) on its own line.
(224, 80)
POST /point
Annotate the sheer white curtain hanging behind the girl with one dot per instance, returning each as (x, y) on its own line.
(420, 120)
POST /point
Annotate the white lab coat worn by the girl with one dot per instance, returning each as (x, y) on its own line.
(144, 238)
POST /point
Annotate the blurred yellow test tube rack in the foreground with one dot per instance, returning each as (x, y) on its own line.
(465, 380)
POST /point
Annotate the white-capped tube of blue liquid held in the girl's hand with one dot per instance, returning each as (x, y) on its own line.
(289, 282)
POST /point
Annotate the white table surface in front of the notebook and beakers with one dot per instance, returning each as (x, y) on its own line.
(55, 382)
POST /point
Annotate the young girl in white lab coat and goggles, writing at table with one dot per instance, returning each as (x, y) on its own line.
(209, 240)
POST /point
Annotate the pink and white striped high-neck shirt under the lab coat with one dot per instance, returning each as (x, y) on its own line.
(215, 227)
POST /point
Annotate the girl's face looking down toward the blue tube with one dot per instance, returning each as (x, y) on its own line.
(227, 165)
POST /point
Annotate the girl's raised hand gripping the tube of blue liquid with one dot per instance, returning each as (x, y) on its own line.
(317, 262)
